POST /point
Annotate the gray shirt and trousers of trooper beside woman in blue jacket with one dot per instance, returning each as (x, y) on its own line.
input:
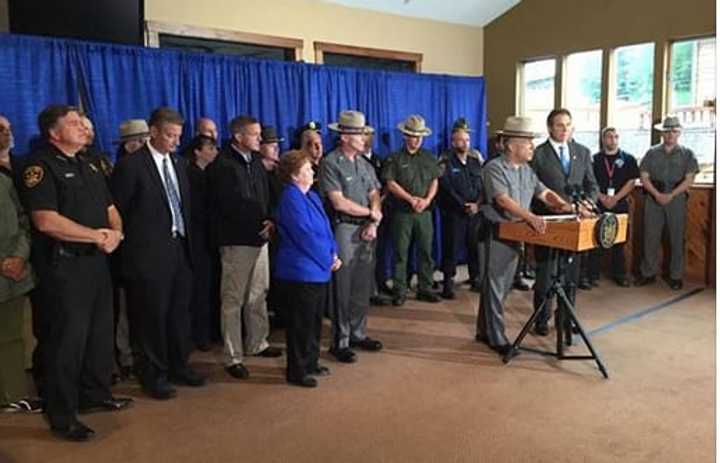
(353, 281)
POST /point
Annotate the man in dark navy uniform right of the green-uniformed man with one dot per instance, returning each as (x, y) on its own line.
(460, 195)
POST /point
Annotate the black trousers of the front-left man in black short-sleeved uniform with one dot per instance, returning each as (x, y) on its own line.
(78, 353)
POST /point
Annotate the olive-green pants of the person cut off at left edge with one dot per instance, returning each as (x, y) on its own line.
(12, 351)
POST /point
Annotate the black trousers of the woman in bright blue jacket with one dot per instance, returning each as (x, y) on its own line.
(304, 303)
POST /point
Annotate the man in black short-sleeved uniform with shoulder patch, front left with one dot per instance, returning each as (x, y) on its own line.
(75, 225)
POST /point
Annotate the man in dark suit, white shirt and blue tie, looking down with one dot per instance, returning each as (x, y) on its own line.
(151, 190)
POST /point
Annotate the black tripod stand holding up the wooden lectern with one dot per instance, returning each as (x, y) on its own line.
(565, 319)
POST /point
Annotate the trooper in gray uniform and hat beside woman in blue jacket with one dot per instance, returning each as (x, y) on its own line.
(353, 192)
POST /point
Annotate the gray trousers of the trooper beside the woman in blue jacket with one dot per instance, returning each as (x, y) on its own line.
(353, 284)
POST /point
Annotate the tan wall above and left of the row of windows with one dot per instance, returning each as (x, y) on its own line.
(537, 28)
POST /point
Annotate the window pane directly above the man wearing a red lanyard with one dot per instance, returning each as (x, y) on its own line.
(631, 97)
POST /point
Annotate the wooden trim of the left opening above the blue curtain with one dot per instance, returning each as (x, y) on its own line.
(153, 29)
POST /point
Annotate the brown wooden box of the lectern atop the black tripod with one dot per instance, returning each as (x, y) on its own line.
(569, 234)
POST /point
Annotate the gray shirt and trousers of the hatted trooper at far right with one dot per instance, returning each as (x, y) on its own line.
(667, 171)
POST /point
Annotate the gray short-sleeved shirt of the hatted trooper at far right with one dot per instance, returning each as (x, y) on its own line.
(669, 168)
